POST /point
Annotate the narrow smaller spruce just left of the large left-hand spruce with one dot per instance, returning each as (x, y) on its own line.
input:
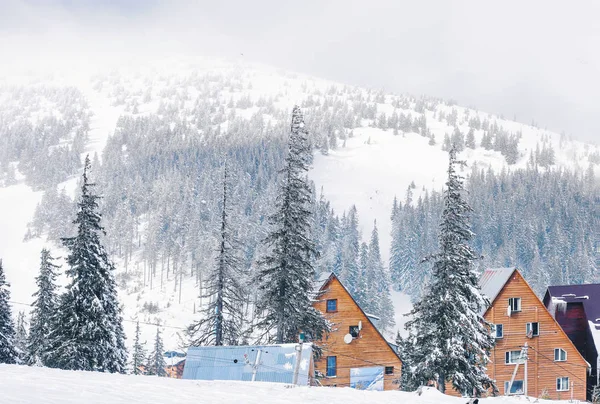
(44, 307)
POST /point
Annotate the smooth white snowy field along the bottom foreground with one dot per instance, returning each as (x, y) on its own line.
(25, 385)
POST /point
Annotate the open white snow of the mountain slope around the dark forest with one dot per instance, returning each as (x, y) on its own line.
(360, 158)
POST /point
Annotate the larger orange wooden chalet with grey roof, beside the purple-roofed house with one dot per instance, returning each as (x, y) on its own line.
(555, 368)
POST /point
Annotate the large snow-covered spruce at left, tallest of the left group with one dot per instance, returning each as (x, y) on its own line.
(87, 330)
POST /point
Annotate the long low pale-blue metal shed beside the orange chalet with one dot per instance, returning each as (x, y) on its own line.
(265, 363)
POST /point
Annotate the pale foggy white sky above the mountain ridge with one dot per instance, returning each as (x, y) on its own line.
(531, 59)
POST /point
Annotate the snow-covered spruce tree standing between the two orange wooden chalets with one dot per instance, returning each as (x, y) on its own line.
(448, 338)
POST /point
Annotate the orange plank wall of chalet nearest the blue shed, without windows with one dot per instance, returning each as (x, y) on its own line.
(368, 350)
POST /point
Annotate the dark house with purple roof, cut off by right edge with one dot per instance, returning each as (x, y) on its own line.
(577, 309)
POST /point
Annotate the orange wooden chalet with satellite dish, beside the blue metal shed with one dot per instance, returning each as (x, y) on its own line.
(354, 354)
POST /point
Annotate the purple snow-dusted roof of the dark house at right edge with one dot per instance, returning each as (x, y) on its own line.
(588, 295)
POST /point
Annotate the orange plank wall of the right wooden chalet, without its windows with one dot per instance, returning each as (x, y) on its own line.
(542, 370)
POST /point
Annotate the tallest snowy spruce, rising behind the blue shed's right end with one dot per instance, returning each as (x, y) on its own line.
(285, 275)
